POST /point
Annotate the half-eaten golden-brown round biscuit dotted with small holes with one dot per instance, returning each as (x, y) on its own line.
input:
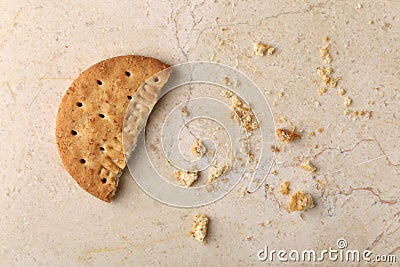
(91, 116)
